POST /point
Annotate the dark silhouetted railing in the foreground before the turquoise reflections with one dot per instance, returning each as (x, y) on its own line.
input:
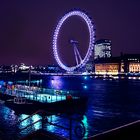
(47, 119)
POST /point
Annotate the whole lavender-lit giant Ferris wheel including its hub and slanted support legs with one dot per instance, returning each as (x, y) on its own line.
(80, 61)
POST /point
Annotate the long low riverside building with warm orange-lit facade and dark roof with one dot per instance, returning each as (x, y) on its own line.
(127, 63)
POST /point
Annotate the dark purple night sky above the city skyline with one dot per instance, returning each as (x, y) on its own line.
(27, 26)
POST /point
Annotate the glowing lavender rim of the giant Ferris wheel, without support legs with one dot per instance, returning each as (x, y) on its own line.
(84, 60)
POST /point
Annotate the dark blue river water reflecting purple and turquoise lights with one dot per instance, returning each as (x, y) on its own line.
(111, 103)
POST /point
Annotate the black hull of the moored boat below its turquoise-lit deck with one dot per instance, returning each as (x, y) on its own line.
(66, 106)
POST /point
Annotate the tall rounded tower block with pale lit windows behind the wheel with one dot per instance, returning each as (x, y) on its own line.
(102, 49)
